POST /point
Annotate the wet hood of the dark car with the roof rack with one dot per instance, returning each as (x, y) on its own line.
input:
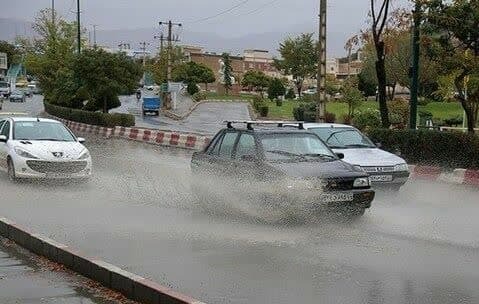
(332, 169)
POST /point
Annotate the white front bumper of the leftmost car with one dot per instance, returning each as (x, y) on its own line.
(23, 170)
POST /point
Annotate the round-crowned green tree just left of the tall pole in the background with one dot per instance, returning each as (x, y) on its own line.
(298, 58)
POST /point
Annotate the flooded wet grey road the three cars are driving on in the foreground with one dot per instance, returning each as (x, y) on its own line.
(418, 246)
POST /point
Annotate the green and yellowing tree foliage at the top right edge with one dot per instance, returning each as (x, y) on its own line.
(453, 26)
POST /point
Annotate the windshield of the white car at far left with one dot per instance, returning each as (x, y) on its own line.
(41, 130)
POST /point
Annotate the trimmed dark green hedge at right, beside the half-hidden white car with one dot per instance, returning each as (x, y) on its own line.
(428, 147)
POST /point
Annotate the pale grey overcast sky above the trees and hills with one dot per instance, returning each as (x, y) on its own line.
(345, 17)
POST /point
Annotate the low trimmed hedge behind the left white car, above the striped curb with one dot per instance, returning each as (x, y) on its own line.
(91, 118)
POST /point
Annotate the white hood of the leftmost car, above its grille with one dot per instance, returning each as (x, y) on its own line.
(46, 149)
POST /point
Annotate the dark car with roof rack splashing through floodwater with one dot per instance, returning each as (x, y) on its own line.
(280, 169)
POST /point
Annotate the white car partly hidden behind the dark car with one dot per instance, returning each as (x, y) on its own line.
(385, 169)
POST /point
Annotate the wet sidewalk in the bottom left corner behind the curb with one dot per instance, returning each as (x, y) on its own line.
(27, 279)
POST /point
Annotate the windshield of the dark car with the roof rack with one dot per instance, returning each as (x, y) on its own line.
(295, 146)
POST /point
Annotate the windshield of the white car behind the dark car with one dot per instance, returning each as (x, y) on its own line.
(343, 138)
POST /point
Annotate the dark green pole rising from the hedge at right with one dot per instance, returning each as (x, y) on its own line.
(415, 66)
